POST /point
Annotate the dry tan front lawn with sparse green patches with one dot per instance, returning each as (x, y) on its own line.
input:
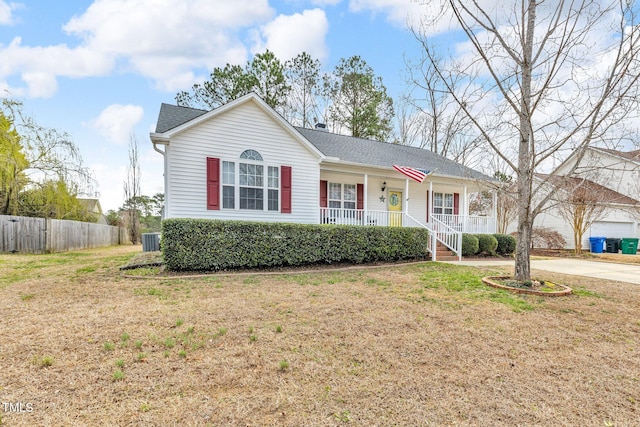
(422, 345)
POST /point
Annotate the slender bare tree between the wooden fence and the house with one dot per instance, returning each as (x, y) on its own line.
(132, 193)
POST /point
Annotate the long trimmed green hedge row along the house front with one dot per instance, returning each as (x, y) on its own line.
(210, 245)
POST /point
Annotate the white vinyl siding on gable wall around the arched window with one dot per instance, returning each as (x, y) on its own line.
(226, 136)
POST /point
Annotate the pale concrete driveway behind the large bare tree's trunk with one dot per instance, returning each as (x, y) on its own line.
(629, 273)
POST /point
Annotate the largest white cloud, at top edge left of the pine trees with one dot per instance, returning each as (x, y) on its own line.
(166, 40)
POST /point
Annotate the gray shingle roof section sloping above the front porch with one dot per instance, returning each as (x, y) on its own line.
(370, 152)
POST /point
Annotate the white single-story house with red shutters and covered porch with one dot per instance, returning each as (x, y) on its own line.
(243, 161)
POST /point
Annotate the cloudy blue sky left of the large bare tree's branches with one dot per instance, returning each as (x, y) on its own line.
(99, 70)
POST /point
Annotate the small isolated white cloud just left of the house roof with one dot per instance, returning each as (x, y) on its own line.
(116, 122)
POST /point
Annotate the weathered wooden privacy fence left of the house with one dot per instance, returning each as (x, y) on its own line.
(40, 235)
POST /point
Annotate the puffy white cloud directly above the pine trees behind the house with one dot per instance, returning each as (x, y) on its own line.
(289, 35)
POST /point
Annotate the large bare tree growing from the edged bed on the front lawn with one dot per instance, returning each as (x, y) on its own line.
(554, 76)
